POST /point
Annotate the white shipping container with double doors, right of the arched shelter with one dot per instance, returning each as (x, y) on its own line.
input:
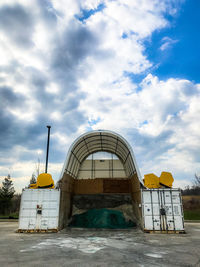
(162, 210)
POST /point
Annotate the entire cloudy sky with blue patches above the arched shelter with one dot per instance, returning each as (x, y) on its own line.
(122, 65)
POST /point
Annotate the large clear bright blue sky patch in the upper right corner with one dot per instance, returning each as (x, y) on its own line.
(181, 59)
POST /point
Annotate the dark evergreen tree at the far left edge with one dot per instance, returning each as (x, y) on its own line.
(6, 194)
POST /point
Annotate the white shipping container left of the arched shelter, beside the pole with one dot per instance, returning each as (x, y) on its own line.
(39, 209)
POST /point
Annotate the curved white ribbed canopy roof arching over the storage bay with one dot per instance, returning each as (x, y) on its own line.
(100, 140)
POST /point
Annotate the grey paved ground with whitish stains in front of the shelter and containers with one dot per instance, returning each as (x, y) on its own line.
(81, 247)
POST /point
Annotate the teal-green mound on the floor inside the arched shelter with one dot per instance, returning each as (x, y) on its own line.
(101, 218)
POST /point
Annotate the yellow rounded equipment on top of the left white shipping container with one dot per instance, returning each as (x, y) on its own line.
(44, 180)
